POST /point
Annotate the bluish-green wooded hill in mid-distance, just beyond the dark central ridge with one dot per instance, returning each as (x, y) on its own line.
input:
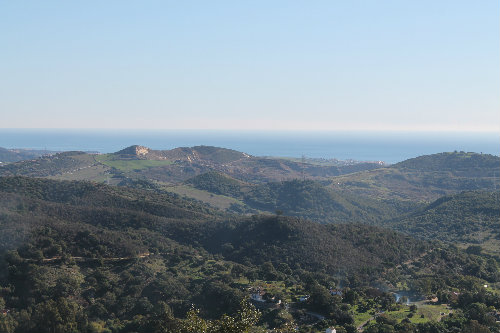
(303, 198)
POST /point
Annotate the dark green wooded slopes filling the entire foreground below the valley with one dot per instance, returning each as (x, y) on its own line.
(84, 257)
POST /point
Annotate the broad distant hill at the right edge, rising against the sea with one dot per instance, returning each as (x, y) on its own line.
(425, 178)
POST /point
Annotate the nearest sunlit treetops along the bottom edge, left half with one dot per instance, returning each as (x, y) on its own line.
(65, 315)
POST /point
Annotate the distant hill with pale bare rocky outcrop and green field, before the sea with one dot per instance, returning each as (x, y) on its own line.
(178, 165)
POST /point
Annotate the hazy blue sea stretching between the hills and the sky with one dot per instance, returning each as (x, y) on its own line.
(390, 147)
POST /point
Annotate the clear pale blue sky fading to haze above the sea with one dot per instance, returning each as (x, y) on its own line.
(329, 65)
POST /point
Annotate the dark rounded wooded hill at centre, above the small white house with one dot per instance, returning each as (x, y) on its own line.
(332, 249)
